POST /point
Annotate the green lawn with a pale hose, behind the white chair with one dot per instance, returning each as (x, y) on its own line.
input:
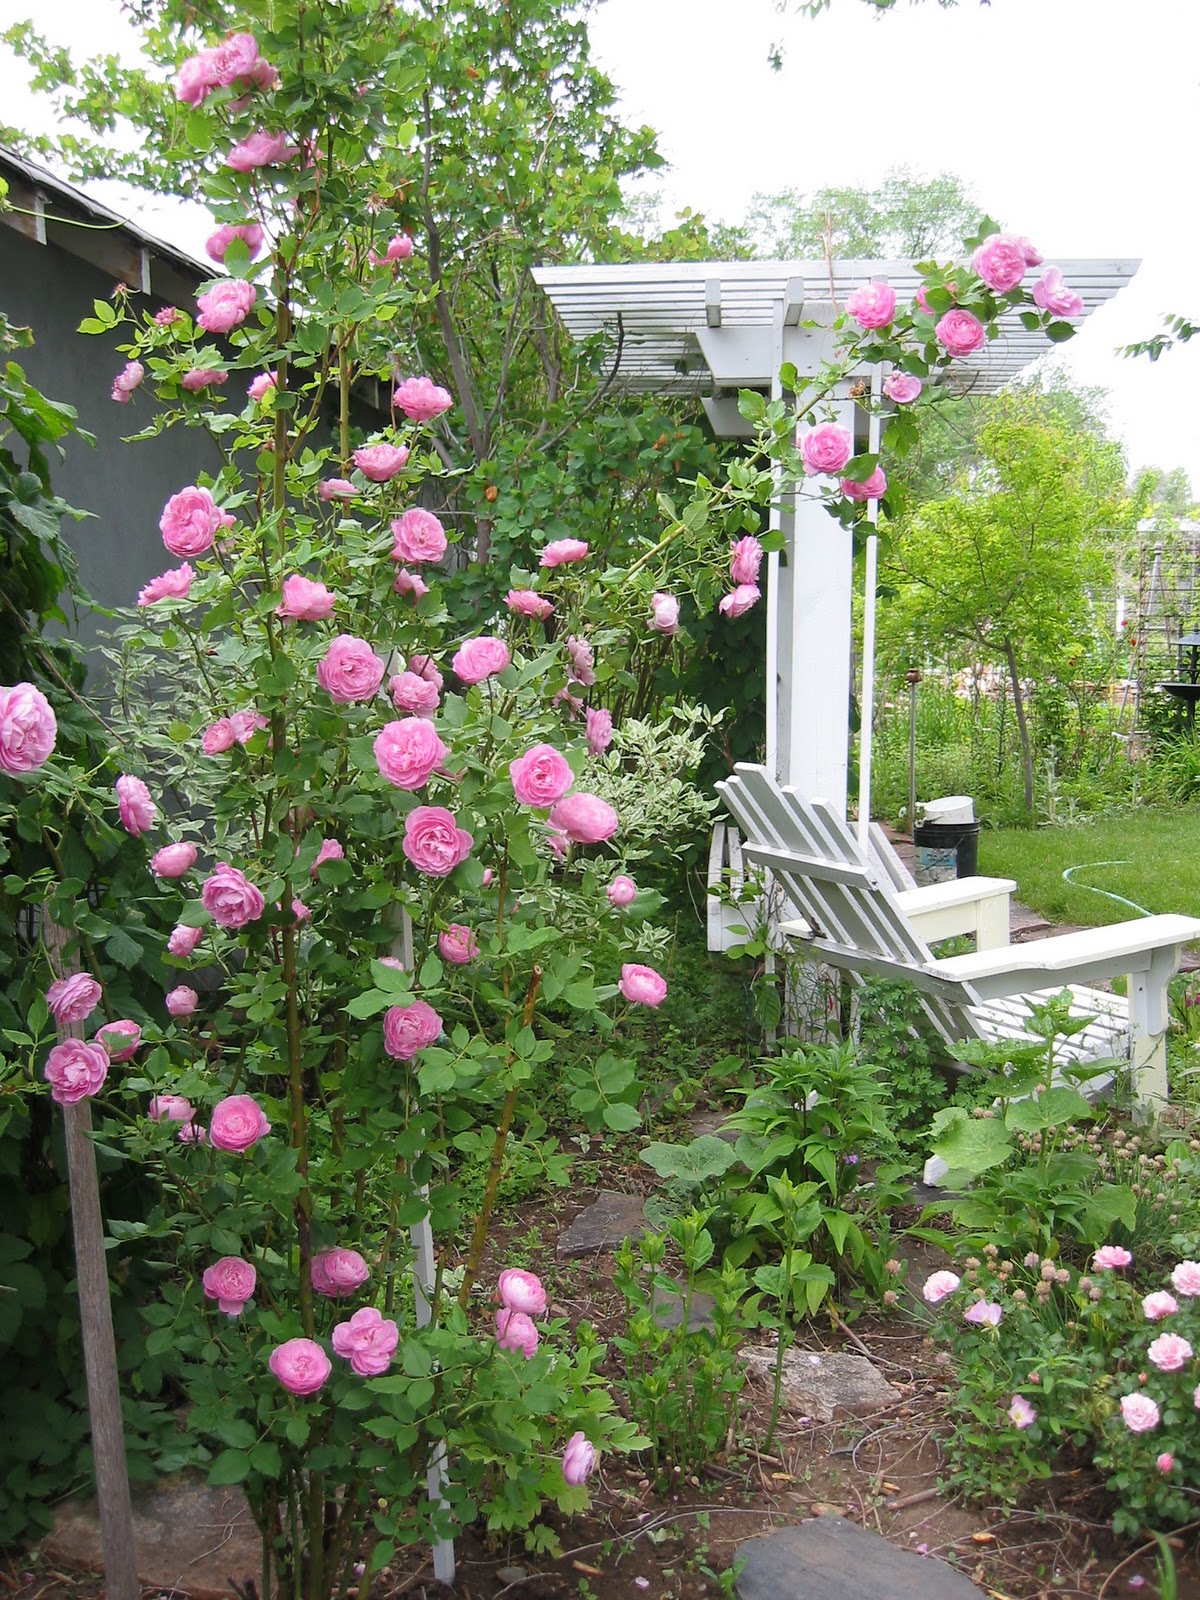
(1159, 854)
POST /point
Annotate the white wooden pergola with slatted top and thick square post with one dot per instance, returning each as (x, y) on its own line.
(710, 329)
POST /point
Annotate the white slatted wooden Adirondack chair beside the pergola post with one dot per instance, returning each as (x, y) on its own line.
(852, 918)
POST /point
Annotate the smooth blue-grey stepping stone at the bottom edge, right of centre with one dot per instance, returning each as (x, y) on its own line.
(833, 1559)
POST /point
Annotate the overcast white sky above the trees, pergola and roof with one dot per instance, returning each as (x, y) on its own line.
(1073, 122)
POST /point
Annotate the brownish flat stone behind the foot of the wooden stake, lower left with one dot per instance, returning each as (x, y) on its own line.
(191, 1538)
